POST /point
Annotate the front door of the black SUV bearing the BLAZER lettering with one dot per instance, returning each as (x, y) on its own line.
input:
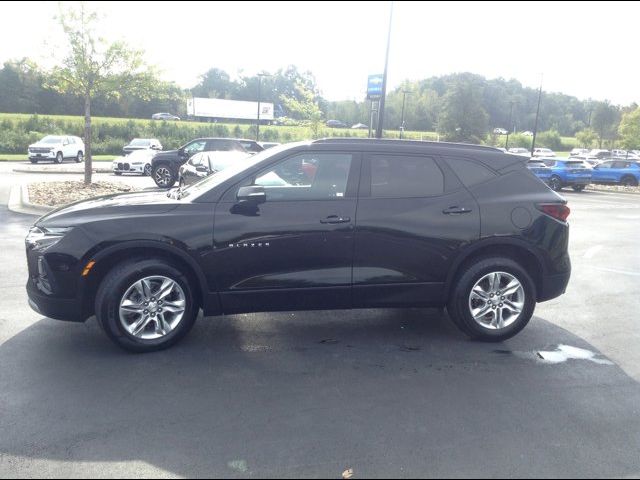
(288, 253)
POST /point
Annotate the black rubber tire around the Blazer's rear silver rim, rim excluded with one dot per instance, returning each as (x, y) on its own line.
(458, 305)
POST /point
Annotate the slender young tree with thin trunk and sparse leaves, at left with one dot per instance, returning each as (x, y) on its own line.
(94, 68)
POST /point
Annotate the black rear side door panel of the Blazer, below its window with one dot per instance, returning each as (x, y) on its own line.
(404, 247)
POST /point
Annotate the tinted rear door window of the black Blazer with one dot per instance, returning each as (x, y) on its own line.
(405, 176)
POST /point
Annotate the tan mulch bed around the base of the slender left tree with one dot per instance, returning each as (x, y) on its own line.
(60, 193)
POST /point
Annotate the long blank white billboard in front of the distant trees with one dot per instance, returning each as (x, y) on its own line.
(233, 109)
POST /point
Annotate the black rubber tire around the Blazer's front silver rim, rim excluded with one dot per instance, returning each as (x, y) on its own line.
(118, 281)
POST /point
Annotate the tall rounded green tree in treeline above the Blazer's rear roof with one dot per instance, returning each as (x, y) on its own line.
(463, 118)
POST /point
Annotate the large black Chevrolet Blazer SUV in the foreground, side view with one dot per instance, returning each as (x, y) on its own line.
(330, 224)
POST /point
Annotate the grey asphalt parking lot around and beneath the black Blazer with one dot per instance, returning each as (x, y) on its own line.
(388, 393)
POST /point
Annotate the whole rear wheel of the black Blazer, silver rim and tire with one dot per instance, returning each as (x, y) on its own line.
(493, 299)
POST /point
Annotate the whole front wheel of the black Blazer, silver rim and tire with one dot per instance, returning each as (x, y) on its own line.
(146, 305)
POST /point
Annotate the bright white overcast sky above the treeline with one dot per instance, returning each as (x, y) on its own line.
(586, 49)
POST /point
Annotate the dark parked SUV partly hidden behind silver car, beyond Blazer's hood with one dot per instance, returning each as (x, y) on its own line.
(165, 165)
